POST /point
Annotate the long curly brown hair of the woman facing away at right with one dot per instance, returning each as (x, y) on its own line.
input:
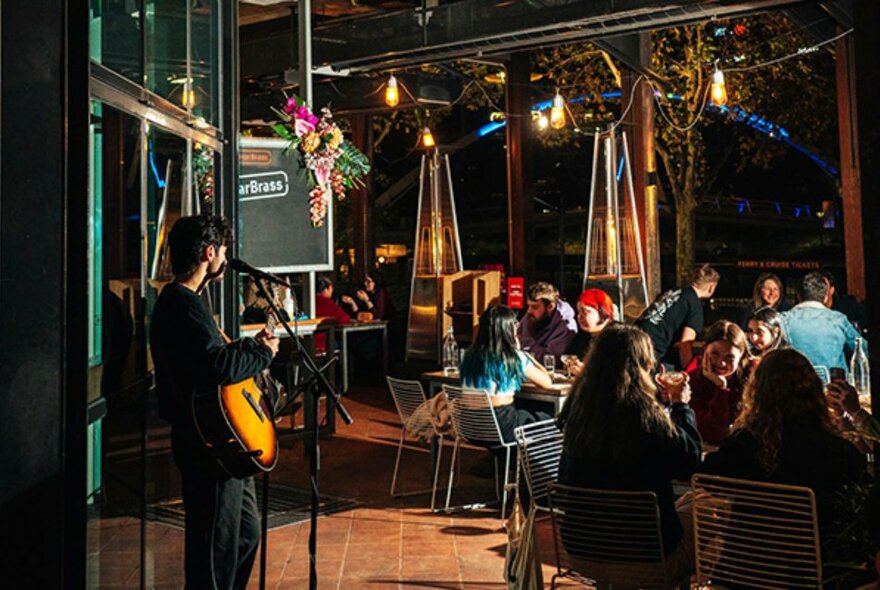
(784, 386)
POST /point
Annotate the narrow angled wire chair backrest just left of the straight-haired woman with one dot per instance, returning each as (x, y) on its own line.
(540, 448)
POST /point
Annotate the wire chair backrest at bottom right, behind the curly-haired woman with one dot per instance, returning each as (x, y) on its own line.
(755, 534)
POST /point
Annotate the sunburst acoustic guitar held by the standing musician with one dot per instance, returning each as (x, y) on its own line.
(237, 425)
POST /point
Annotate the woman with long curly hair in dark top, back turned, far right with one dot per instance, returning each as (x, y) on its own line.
(785, 435)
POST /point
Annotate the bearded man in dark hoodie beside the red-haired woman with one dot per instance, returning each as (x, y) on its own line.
(544, 330)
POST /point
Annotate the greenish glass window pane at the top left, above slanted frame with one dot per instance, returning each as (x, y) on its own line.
(115, 36)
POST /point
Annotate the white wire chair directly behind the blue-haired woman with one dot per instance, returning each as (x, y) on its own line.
(474, 421)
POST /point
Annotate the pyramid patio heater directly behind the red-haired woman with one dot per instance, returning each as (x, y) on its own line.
(613, 260)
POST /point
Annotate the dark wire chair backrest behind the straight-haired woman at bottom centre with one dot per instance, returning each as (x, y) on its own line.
(610, 536)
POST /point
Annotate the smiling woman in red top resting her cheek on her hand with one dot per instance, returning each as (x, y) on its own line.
(717, 378)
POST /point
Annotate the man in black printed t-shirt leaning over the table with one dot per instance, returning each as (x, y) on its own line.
(676, 318)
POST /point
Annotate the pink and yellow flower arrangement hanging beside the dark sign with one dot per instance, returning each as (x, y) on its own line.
(334, 165)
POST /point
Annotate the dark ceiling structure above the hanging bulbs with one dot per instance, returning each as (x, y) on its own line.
(359, 39)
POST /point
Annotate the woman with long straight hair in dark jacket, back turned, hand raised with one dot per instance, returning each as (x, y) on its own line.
(618, 437)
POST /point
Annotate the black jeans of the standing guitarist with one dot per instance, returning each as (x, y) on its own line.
(222, 527)
